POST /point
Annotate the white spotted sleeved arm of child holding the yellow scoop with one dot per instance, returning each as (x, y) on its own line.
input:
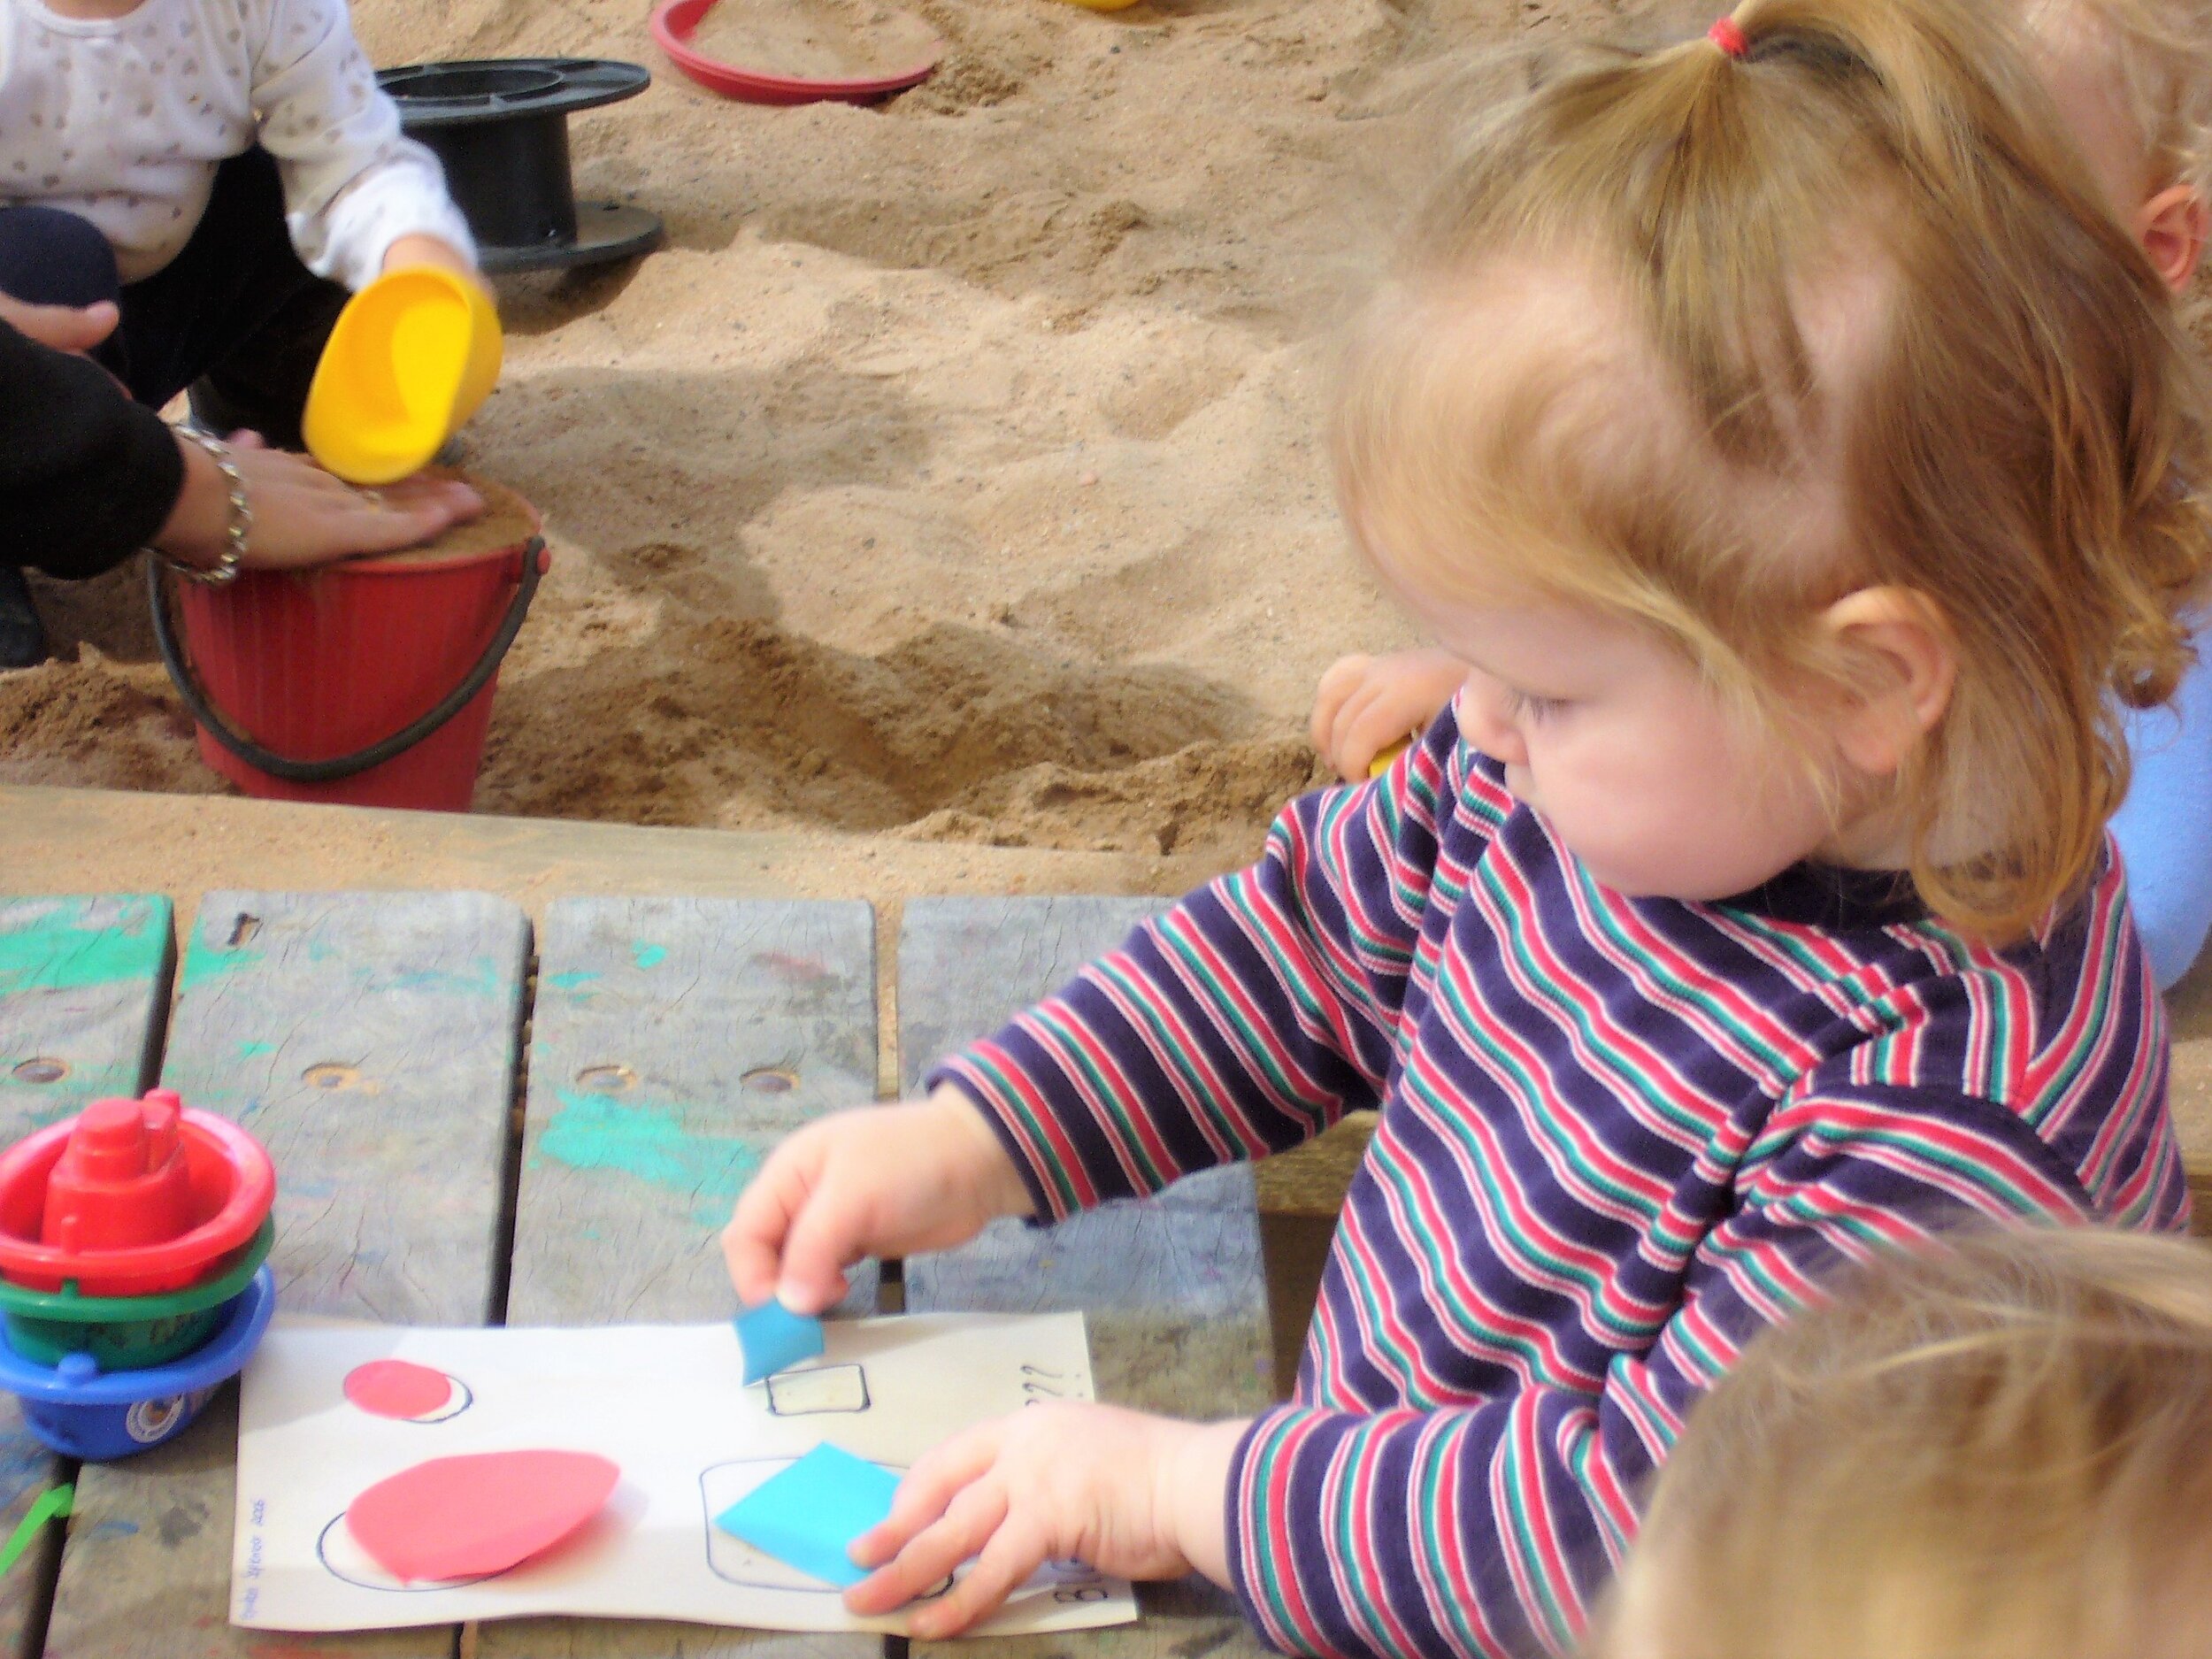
(353, 185)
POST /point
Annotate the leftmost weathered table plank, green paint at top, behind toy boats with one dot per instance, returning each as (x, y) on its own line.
(83, 1001)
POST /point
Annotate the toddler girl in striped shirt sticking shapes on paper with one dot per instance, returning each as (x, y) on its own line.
(1786, 439)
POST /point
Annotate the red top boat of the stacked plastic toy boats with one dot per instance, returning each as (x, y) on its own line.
(132, 1198)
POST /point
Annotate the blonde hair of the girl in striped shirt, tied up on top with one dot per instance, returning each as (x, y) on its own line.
(2016, 437)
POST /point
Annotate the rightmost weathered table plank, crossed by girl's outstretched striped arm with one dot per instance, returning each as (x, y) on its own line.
(1171, 1286)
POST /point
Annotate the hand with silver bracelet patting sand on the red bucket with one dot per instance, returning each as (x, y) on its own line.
(304, 514)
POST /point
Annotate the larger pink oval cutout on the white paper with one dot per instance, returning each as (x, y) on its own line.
(459, 1519)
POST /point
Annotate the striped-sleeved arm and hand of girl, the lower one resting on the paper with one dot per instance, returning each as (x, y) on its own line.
(1490, 1527)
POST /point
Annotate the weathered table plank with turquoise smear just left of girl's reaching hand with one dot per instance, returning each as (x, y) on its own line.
(676, 1043)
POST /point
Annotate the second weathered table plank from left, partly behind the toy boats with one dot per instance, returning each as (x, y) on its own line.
(371, 1041)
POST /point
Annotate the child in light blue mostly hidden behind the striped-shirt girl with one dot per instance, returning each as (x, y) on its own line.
(2133, 85)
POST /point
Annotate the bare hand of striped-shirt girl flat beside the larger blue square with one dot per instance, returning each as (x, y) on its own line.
(1134, 1496)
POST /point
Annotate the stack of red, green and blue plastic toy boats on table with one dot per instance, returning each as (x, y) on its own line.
(132, 1271)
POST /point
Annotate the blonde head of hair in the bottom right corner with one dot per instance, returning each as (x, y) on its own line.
(1992, 1450)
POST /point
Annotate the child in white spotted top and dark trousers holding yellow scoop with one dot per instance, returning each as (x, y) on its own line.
(222, 171)
